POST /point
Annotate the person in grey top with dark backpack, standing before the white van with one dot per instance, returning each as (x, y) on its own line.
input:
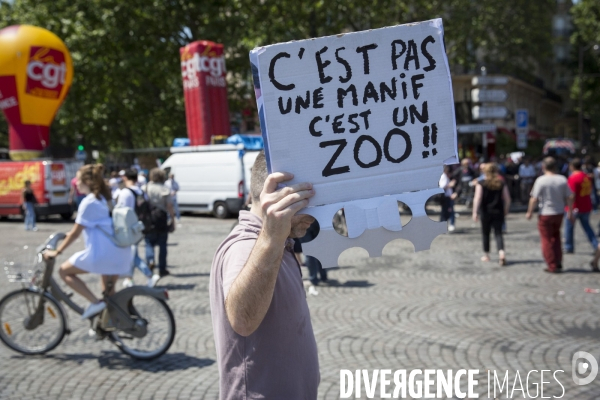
(159, 197)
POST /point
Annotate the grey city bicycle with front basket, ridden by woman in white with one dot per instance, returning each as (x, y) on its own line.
(33, 320)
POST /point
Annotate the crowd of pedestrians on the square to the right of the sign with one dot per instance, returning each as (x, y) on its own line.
(561, 189)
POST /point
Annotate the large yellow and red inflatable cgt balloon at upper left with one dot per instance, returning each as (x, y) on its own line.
(35, 76)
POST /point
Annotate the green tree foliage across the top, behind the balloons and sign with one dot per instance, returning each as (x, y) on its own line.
(127, 90)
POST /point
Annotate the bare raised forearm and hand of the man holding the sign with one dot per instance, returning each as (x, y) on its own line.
(250, 294)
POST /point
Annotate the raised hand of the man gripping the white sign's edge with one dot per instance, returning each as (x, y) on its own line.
(280, 205)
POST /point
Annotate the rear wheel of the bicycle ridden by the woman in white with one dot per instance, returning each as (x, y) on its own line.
(159, 323)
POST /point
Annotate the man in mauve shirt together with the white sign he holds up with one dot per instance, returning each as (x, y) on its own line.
(367, 118)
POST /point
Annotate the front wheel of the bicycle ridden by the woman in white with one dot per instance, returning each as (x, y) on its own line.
(16, 310)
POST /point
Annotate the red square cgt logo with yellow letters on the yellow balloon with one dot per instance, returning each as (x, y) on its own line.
(46, 72)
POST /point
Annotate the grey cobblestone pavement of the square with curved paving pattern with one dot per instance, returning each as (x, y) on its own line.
(438, 309)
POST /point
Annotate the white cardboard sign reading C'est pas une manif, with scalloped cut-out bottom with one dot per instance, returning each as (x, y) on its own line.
(365, 117)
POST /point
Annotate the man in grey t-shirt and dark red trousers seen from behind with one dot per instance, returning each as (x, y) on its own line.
(551, 192)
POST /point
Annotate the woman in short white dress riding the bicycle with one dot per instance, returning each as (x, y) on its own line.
(101, 255)
